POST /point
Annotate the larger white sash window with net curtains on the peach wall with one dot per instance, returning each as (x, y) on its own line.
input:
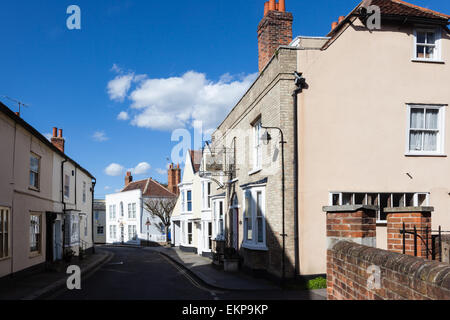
(425, 132)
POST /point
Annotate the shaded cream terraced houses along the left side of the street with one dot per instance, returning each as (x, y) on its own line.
(45, 198)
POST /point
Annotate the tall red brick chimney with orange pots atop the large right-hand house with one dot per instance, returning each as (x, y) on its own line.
(274, 30)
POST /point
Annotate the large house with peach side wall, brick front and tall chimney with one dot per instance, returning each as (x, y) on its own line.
(358, 116)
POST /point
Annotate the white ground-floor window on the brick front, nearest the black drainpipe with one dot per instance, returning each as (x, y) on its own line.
(254, 217)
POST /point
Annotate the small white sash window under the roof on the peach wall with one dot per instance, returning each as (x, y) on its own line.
(427, 44)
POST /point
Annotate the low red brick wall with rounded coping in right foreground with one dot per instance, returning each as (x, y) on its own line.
(401, 277)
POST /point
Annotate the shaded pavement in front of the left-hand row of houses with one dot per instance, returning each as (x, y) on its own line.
(38, 285)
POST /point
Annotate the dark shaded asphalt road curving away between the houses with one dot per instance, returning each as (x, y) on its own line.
(137, 274)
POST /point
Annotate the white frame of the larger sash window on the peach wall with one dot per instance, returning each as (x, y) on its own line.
(441, 130)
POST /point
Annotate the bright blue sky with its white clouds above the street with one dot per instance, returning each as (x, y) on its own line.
(162, 64)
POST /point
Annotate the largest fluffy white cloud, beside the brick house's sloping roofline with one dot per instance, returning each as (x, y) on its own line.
(177, 102)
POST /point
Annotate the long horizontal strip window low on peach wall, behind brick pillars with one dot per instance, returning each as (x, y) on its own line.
(380, 199)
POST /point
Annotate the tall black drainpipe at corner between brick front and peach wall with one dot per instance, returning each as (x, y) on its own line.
(300, 83)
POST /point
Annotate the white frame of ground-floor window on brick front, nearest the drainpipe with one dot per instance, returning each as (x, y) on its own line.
(253, 244)
